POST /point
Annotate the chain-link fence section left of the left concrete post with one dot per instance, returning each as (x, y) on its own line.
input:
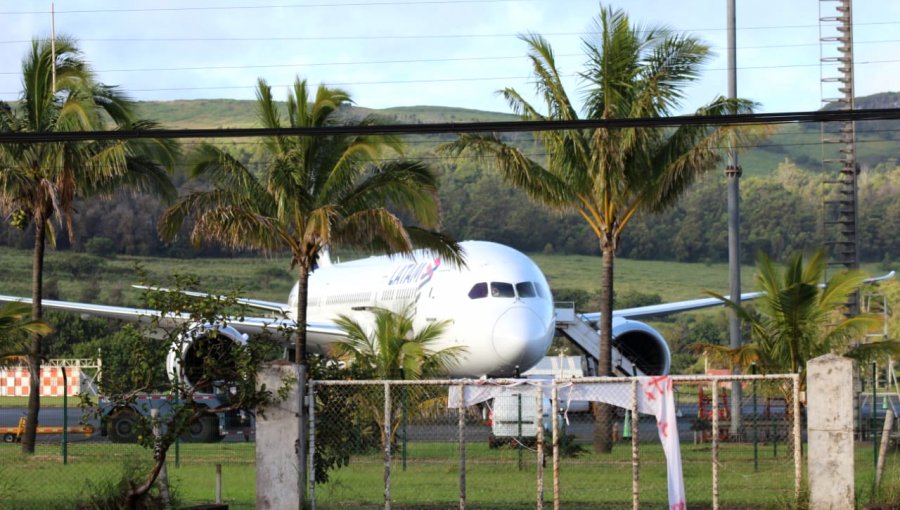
(76, 461)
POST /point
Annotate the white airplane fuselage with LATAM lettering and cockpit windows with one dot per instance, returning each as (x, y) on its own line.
(498, 306)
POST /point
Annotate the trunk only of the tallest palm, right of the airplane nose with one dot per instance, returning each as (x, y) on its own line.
(603, 413)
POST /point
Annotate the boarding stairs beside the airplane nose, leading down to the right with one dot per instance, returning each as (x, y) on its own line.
(584, 334)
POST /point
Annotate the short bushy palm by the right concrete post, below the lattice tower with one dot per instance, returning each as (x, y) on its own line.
(797, 319)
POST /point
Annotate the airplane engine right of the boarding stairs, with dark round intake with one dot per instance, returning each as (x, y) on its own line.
(638, 349)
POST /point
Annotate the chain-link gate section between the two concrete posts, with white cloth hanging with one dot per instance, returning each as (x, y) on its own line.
(502, 445)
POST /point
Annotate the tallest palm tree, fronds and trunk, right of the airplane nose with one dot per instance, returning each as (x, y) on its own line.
(610, 175)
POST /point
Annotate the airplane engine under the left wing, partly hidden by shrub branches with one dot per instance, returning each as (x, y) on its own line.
(202, 358)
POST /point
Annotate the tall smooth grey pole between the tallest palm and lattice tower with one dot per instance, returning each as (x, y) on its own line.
(733, 175)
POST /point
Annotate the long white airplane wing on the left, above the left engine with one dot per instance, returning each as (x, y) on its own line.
(325, 332)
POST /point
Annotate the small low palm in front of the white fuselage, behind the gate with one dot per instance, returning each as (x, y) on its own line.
(392, 349)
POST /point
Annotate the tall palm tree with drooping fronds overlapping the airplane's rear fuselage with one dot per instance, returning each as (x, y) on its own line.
(312, 192)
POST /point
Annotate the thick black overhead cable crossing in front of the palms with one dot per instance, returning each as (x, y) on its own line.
(462, 127)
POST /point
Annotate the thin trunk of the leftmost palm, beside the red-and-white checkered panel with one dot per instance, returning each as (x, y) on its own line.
(34, 351)
